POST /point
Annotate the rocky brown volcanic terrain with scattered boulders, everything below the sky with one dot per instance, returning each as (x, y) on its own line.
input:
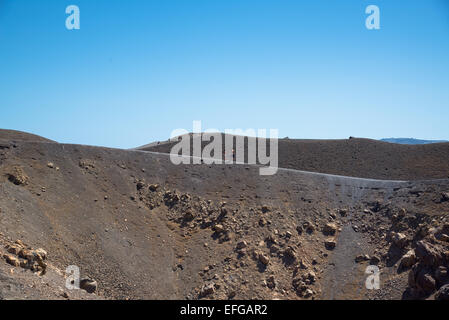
(140, 227)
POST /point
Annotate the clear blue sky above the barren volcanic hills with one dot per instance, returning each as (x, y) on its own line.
(136, 70)
